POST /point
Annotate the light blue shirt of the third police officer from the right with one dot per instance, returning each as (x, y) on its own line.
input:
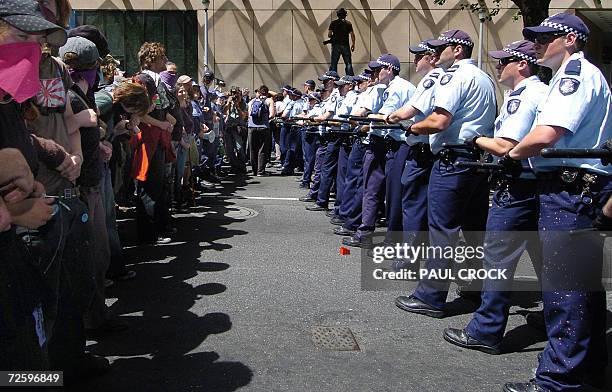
(467, 93)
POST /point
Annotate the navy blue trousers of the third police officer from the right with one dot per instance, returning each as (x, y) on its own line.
(457, 200)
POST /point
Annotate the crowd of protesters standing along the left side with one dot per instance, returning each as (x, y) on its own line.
(80, 140)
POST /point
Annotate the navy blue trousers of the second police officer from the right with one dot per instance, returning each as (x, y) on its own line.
(512, 228)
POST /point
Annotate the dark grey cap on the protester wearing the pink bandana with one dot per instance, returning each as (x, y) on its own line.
(27, 16)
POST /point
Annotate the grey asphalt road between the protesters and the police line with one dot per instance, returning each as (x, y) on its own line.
(231, 303)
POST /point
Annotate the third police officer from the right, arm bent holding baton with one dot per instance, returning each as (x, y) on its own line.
(457, 197)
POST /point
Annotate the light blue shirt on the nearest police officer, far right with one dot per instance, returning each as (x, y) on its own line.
(578, 99)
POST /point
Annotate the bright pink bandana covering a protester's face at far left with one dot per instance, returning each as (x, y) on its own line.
(19, 67)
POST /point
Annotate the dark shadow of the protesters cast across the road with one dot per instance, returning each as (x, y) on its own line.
(163, 350)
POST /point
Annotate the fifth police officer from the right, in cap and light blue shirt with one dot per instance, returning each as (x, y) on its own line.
(399, 90)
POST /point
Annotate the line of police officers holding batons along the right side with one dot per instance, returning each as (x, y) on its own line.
(426, 180)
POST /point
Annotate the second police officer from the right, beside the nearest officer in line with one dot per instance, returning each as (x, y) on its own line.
(514, 209)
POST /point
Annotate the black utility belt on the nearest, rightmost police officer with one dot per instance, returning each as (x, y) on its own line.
(575, 181)
